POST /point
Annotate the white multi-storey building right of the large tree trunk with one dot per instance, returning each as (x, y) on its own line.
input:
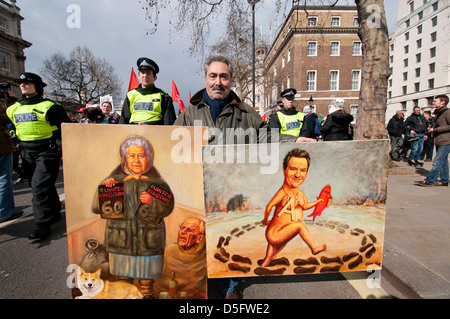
(419, 55)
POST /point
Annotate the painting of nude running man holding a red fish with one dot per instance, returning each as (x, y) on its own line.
(322, 210)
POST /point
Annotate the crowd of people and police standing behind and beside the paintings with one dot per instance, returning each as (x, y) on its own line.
(37, 125)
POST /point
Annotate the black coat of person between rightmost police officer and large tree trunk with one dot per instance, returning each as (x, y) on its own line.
(336, 127)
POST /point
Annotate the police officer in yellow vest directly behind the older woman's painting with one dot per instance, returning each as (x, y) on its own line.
(147, 104)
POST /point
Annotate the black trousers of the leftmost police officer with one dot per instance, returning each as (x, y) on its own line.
(40, 165)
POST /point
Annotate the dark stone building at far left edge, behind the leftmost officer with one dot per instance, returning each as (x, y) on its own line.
(12, 45)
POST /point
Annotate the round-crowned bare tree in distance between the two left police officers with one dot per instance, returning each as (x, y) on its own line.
(81, 77)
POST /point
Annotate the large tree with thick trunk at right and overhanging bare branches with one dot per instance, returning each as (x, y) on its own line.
(199, 14)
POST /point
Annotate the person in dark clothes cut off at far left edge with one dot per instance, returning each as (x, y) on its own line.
(7, 205)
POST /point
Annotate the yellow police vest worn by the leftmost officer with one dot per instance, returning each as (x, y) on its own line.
(30, 120)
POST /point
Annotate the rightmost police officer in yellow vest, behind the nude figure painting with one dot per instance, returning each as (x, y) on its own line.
(288, 120)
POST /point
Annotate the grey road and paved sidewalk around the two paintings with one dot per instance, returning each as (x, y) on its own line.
(416, 261)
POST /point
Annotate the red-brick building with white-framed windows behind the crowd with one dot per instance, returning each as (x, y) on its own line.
(317, 52)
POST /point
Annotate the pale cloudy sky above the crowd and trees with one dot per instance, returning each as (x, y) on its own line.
(117, 31)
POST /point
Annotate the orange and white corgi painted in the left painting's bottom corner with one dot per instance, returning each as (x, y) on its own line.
(93, 287)
